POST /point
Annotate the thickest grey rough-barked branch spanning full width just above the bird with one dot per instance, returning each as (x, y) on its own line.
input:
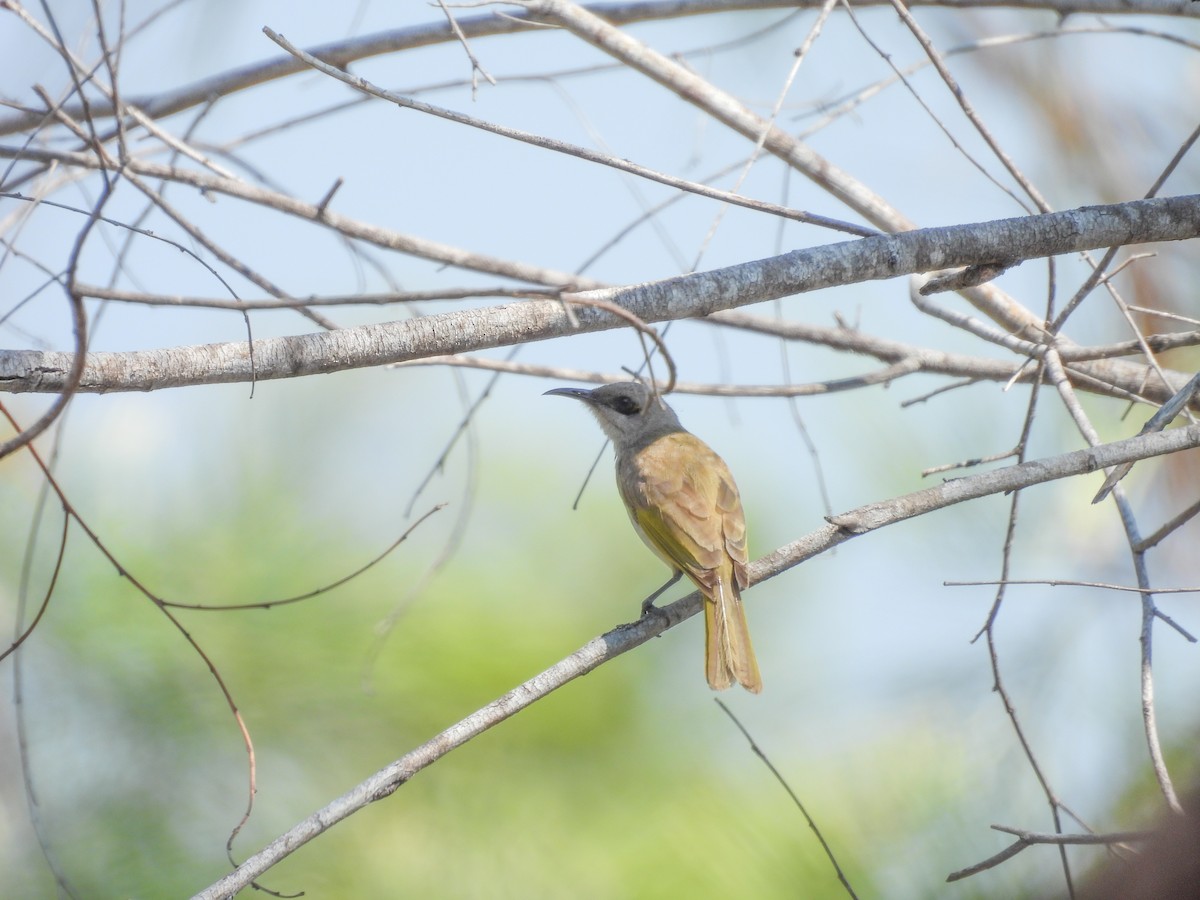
(683, 297)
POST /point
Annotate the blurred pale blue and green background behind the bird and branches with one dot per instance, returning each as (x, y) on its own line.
(879, 709)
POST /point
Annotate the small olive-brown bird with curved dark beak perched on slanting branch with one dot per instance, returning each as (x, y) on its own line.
(687, 509)
